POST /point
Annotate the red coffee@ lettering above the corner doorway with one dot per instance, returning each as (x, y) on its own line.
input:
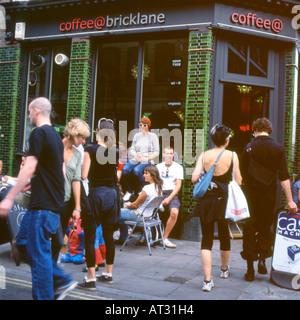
(251, 19)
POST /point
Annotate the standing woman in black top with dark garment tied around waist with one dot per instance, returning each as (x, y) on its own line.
(99, 167)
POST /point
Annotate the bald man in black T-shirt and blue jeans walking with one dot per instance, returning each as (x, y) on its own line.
(44, 168)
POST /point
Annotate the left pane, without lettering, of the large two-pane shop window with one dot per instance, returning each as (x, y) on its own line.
(116, 83)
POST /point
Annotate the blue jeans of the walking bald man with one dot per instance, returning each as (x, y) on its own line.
(36, 229)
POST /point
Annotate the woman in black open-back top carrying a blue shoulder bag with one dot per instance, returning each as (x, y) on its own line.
(211, 207)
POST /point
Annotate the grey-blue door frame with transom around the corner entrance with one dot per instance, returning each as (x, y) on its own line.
(275, 82)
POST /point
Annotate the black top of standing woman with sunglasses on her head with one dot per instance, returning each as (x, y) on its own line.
(103, 166)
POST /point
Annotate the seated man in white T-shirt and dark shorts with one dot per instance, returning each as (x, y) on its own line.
(172, 176)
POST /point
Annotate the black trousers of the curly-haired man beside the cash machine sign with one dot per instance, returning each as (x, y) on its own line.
(257, 230)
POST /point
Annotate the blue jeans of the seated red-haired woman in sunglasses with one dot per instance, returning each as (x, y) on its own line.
(133, 176)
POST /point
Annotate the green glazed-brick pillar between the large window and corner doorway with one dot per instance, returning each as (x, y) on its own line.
(196, 119)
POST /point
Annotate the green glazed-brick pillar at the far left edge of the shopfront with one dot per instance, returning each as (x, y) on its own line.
(11, 72)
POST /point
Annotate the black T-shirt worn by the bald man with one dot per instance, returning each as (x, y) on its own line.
(47, 183)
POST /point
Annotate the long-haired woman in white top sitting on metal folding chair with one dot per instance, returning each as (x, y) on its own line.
(133, 210)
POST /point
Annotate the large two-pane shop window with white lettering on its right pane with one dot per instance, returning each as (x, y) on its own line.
(163, 84)
